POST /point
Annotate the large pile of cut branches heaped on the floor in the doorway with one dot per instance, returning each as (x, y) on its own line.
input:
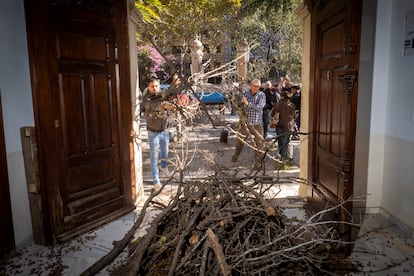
(217, 226)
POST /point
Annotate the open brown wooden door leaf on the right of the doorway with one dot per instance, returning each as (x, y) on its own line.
(333, 93)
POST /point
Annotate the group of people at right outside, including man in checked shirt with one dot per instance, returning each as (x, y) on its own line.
(269, 106)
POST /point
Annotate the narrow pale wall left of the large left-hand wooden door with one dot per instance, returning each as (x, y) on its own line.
(15, 89)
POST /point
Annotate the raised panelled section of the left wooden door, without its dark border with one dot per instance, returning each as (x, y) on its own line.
(88, 110)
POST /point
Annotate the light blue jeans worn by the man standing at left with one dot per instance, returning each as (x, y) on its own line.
(159, 142)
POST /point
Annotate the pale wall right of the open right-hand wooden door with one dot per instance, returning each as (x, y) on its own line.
(391, 170)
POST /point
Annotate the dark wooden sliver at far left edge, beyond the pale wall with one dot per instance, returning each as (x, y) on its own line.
(6, 220)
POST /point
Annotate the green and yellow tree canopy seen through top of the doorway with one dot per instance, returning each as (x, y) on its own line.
(271, 27)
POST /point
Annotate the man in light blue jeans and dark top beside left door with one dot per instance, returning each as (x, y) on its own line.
(156, 109)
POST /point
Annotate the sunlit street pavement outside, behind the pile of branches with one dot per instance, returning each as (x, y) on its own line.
(201, 148)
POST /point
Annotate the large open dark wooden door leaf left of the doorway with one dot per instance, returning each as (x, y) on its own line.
(80, 79)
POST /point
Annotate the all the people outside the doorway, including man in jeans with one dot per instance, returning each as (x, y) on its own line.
(262, 106)
